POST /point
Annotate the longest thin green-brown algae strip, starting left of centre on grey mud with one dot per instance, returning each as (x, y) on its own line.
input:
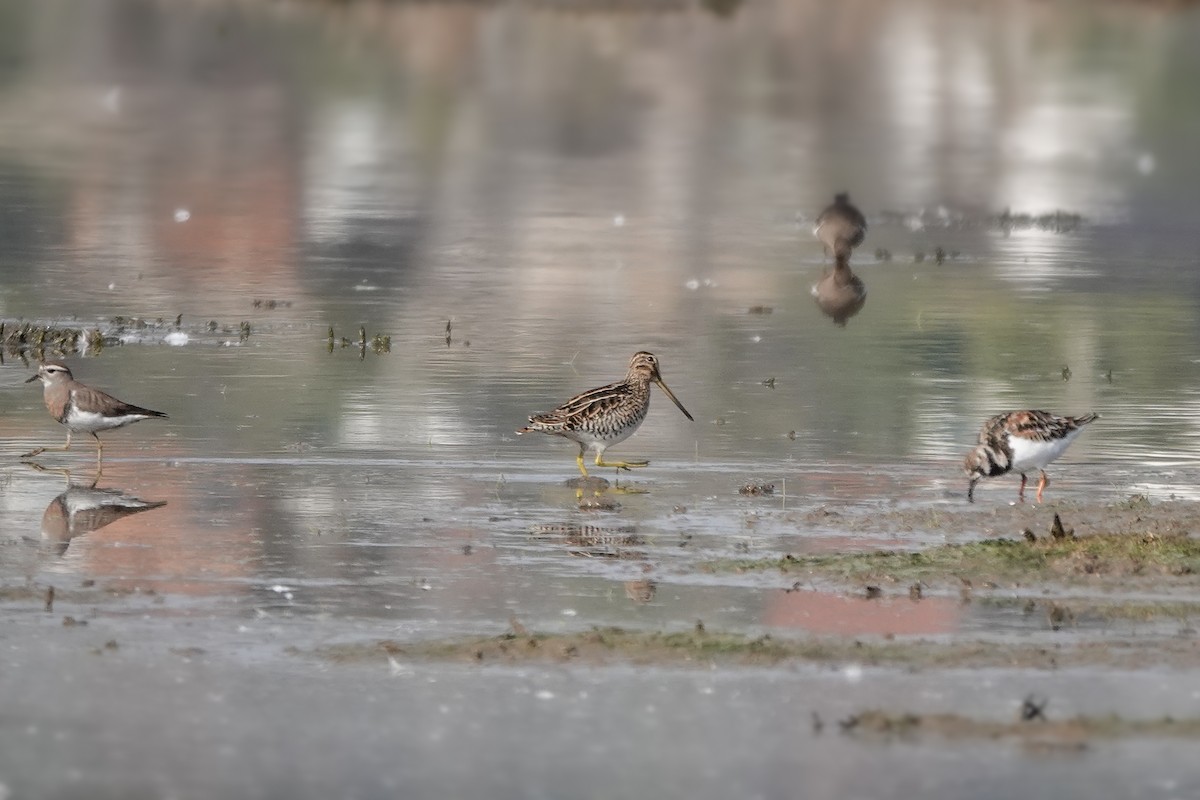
(704, 649)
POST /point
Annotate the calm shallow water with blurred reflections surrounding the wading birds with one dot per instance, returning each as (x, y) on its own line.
(521, 199)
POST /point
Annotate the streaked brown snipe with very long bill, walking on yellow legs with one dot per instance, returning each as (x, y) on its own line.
(602, 418)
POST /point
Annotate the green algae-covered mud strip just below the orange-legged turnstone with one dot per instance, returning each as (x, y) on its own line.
(997, 561)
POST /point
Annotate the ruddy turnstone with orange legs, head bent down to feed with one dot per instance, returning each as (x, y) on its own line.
(1019, 442)
